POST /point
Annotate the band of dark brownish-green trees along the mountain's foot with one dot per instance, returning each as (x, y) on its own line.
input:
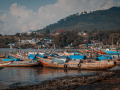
(67, 38)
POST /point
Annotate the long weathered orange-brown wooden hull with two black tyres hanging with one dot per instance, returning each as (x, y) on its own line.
(92, 65)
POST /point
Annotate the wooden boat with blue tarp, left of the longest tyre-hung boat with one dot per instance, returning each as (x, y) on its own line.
(22, 63)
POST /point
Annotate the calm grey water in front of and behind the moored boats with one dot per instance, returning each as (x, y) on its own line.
(21, 76)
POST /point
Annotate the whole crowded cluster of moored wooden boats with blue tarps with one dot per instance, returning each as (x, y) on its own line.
(63, 60)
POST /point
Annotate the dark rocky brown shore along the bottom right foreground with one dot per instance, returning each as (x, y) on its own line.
(107, 80)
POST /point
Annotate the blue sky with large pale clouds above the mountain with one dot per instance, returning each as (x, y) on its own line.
(17, 16)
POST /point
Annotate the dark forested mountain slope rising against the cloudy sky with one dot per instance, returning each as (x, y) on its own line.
(101, 19)
